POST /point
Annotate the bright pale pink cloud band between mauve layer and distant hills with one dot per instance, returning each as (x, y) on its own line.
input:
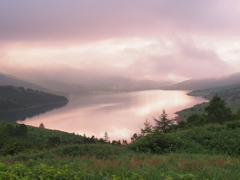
(179, 57)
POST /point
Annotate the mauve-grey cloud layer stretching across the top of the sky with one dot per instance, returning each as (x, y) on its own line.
(84, 21)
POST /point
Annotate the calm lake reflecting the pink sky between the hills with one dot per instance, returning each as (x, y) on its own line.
(120, 115)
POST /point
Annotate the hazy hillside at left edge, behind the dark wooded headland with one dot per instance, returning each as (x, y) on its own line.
(8, 80)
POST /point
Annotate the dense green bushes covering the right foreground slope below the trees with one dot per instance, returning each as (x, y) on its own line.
(209, 139)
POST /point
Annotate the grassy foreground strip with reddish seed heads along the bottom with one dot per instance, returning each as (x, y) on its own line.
(98, 162)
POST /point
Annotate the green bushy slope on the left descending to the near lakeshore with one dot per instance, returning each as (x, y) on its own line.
(36, 139)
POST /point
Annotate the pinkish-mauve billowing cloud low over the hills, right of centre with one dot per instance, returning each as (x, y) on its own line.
(187, 61)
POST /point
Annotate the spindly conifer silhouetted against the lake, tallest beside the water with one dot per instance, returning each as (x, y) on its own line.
(163, 124)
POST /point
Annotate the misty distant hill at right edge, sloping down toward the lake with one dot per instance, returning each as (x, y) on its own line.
(197, 84)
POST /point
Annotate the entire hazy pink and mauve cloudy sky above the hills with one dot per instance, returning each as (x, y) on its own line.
(135, 38)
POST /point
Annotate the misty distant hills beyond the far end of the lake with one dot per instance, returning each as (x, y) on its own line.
(113, 84)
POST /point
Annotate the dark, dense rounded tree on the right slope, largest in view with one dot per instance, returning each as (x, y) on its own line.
(217, 112)
